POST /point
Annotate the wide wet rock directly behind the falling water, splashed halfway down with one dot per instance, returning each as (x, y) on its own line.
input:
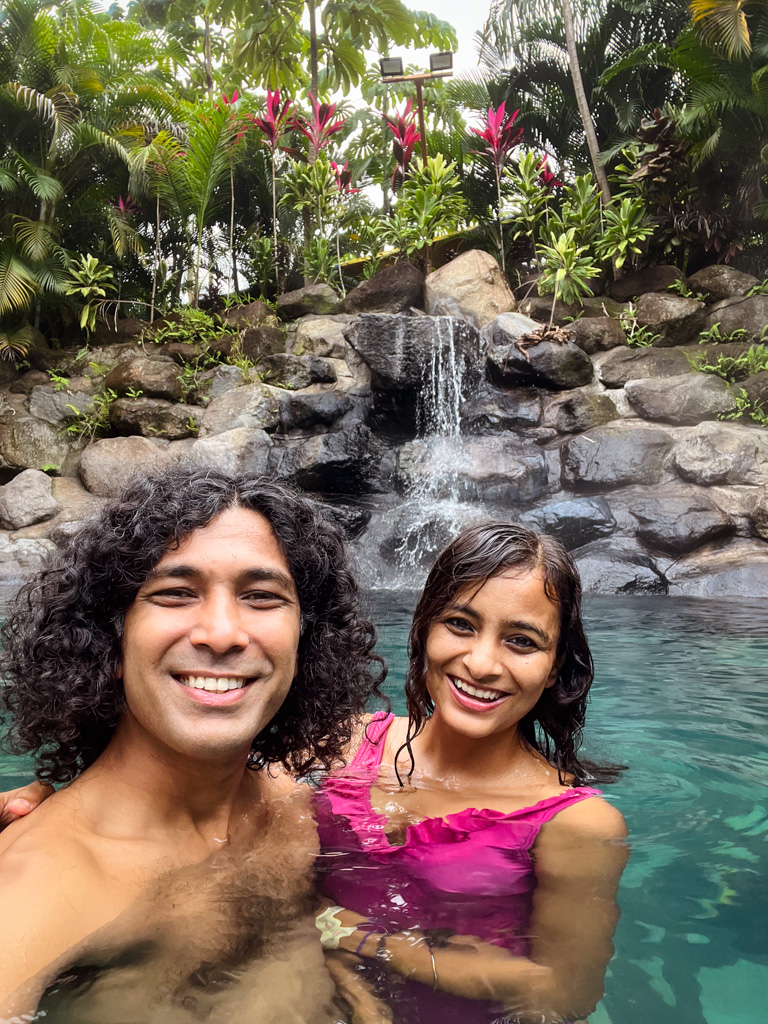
(489, 470)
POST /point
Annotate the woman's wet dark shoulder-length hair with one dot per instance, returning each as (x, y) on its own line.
(554, 727)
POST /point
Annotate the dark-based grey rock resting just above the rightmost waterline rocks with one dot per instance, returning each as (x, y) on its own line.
(676, 526)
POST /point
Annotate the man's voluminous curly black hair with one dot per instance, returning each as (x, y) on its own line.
(63, 638)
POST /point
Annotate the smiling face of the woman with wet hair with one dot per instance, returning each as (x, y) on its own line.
(492, 654)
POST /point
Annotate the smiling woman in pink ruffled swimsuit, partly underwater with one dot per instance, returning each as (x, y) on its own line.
(473, 863)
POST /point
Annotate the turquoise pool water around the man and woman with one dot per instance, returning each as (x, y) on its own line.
(681, 697)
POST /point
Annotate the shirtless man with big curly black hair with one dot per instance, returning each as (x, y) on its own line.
(195, 633)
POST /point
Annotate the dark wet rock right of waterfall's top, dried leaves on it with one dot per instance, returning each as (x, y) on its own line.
(546, 364)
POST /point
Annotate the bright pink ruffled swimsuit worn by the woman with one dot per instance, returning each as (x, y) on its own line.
(470, 873)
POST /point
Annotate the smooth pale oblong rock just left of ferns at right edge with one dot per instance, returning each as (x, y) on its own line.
(689, 399)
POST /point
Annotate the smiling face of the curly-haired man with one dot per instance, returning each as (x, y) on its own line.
(210, 643)
